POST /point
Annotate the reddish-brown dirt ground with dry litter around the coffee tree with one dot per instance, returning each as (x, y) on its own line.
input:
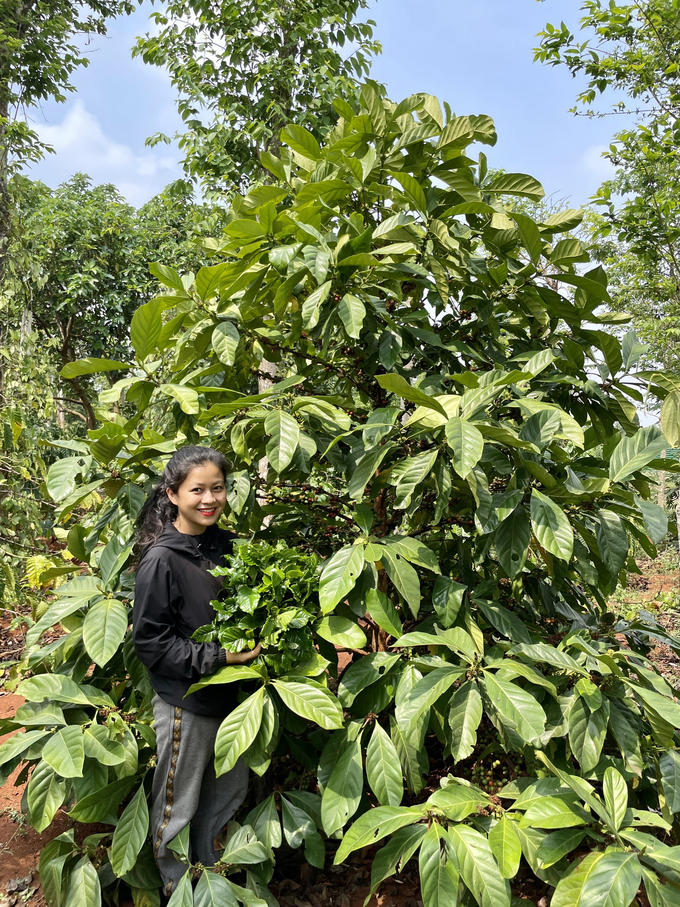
(657, 590)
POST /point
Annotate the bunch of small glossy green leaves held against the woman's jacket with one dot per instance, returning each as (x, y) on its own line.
(271, 597)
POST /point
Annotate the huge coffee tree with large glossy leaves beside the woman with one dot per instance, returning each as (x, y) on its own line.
(452, 430)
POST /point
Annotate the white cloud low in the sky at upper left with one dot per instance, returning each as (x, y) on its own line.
(81, 145)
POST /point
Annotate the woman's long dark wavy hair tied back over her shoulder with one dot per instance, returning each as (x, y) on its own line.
(158, 509)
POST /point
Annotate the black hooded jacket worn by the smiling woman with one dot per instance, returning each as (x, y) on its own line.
(173, 591)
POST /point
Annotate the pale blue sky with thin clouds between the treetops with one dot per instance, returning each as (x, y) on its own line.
(475, 54)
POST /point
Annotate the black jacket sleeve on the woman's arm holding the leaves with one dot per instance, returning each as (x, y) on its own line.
(156, 641)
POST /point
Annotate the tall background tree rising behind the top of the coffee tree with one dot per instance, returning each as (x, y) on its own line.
(244, 70)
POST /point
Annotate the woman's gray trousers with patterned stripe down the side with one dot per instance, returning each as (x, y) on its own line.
(186, 790)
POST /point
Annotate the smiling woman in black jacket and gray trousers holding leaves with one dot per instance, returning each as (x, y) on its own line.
(180, 542)
